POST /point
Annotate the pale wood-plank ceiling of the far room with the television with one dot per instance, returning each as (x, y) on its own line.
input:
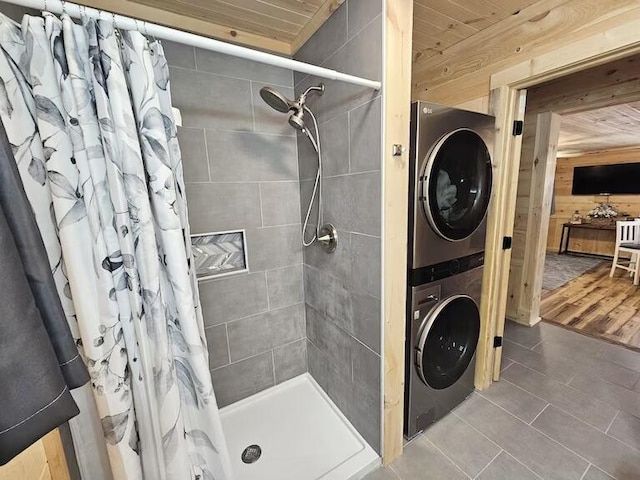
(608, 128)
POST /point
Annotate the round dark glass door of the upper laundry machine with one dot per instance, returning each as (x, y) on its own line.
(456, 184)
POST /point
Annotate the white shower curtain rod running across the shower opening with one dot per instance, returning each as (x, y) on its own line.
(166, 33)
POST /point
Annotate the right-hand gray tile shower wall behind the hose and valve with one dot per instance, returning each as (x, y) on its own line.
(343, 290)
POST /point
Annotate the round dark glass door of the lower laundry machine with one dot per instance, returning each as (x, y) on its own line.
(447, 340)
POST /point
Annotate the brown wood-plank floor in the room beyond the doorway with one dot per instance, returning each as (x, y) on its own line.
(597, 305)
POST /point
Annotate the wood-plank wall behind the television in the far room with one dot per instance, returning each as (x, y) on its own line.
(565, 203)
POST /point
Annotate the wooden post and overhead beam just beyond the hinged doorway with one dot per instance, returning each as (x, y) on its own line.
(612, 83)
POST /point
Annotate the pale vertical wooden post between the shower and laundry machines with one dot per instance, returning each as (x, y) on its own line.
(398, 25)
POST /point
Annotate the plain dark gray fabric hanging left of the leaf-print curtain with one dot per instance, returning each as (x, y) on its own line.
(39, 362)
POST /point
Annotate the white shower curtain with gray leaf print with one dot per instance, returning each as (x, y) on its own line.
(87, 110)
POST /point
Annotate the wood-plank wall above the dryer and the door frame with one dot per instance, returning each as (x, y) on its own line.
(463, 71)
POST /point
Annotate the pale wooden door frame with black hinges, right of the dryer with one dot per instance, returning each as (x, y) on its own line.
(508, 93)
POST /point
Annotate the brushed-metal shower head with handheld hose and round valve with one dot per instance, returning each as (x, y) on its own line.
(326, 235)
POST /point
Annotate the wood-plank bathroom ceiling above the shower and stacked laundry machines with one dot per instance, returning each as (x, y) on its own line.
(284, 25)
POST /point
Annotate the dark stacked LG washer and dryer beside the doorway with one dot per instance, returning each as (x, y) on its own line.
(449, 191)
